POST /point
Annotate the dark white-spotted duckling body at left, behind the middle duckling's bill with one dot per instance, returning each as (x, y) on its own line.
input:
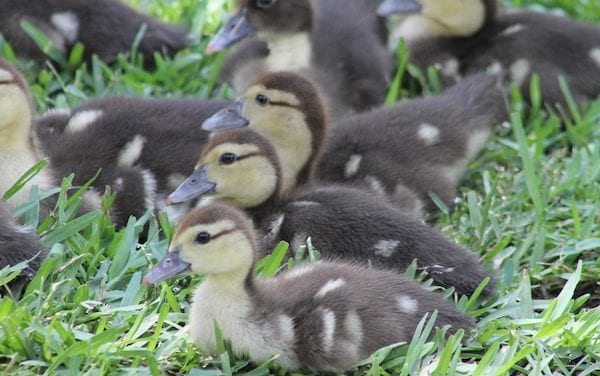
(145, 147)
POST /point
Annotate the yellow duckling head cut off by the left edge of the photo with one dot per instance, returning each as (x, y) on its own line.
(15, 108)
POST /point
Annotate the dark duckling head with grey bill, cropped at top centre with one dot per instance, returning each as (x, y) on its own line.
(266, 18)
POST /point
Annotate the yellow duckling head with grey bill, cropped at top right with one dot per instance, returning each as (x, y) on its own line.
(452, 18)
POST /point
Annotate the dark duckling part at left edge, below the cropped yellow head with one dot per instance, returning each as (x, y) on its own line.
(18, 243)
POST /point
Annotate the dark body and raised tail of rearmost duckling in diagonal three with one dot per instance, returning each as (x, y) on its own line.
(420, 146)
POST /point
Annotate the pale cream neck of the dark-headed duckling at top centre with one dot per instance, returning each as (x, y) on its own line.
(288, 51)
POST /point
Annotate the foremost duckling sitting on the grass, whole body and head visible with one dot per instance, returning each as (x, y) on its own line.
(324, 316)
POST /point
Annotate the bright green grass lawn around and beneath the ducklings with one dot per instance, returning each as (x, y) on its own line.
(528, 206)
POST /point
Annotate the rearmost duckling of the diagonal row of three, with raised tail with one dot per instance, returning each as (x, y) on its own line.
(404, 151)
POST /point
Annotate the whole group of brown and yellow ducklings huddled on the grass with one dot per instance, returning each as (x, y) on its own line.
(306, 151)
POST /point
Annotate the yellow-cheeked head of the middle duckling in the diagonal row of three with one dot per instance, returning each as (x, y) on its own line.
(238, 167)
